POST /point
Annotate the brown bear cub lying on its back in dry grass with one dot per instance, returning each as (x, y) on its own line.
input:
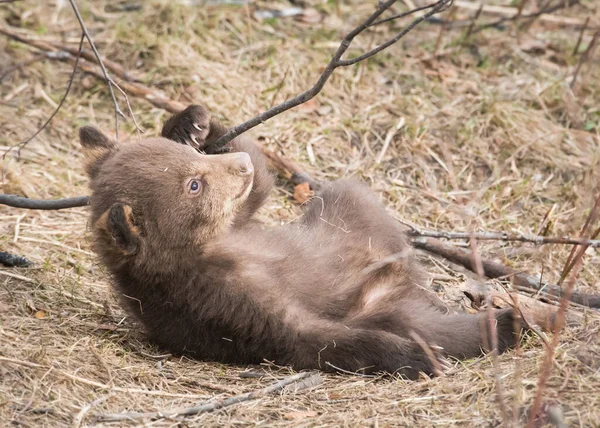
(206, 280)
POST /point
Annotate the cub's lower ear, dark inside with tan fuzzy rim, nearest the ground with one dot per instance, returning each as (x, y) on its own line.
(119, 223)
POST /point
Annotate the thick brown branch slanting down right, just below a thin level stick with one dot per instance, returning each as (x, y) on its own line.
(498, 270)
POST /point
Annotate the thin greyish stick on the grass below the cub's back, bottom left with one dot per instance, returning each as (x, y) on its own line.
(208, 406)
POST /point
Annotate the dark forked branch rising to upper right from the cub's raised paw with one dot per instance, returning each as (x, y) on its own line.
(334, 63)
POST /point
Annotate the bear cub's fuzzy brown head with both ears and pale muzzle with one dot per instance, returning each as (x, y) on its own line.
(152, 198)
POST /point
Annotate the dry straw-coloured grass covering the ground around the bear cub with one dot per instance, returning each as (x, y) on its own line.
(494, 139)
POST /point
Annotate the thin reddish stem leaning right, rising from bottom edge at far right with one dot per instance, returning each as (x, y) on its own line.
(560, 322)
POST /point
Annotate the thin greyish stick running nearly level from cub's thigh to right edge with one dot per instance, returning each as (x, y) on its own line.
(502, 236)
